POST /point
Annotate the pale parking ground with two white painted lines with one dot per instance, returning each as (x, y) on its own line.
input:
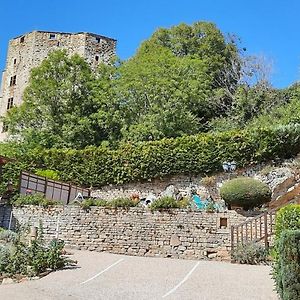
(108, 276)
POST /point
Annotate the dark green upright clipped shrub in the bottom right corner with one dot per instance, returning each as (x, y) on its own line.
(287, 267)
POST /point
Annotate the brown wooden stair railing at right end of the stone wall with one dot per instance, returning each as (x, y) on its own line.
(258, 229)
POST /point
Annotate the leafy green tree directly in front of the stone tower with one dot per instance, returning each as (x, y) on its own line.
(60, 108)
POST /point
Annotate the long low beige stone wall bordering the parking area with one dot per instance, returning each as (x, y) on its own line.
(134, 231)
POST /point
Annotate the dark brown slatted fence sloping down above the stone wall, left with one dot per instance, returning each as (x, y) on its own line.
(52, 189)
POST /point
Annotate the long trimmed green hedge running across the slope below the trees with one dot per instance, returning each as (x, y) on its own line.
(199, 154)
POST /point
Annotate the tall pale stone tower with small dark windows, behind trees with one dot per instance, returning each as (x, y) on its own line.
(29, 50)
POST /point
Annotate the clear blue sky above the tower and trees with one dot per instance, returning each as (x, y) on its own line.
(268, 27)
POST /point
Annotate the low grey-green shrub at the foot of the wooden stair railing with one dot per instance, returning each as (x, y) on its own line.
(250, 253)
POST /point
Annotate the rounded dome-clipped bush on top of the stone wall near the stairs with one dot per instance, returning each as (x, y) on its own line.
(245, 192)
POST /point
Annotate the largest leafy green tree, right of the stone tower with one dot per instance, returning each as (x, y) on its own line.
(169, 87)
